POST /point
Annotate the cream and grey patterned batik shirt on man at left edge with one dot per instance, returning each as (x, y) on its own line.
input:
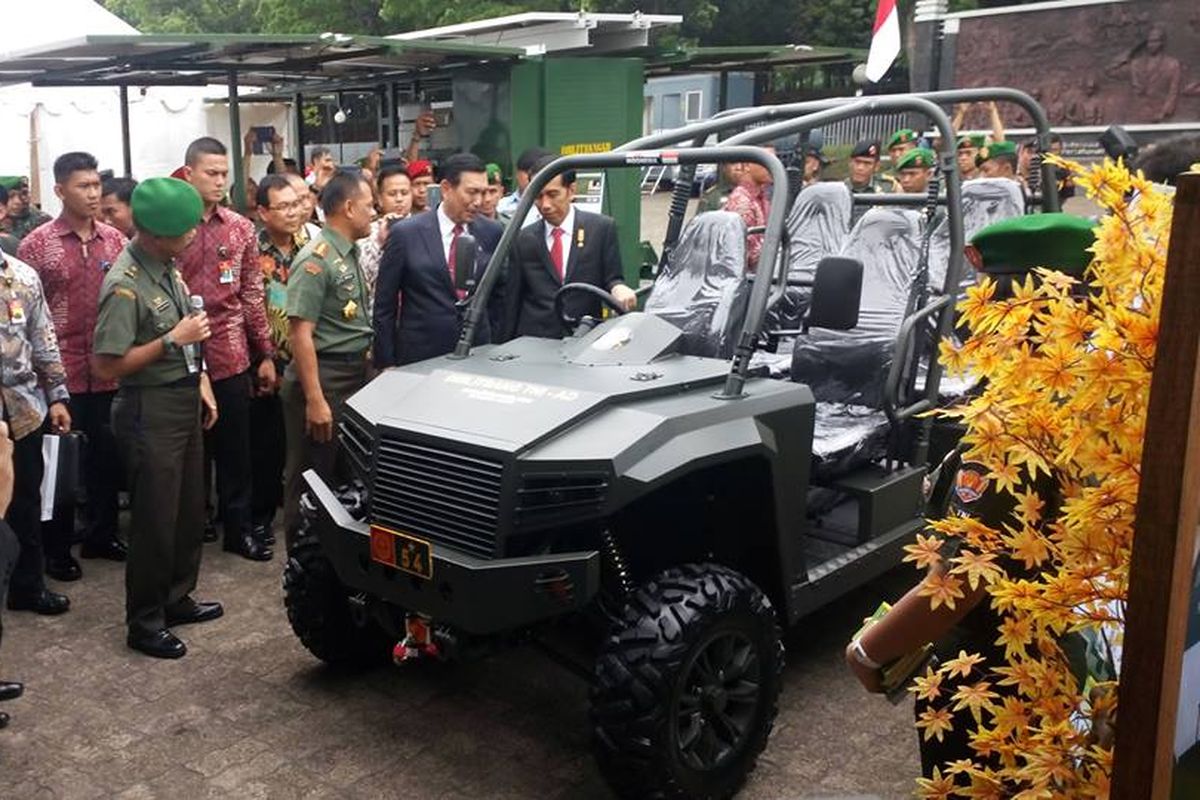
(32, 375)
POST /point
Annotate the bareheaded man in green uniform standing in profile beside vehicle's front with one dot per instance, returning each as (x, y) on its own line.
(331, 333)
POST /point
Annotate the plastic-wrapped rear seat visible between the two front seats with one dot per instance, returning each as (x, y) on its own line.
(818, 226)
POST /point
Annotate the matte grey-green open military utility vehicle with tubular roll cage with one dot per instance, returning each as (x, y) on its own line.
(687, 480)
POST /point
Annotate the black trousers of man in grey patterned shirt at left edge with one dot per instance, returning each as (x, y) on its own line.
(26, 513)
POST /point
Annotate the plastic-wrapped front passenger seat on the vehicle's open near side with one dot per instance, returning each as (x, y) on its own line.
(848, 370)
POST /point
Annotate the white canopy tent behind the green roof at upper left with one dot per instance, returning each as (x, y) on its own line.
(38, 124)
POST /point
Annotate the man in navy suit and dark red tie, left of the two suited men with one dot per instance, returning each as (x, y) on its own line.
(416, 316)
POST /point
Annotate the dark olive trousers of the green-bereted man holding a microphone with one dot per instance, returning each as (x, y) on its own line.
(163, 447)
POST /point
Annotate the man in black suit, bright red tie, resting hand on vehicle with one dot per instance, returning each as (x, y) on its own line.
(567, 246)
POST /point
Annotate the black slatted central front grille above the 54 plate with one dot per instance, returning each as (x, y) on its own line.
(449, 498)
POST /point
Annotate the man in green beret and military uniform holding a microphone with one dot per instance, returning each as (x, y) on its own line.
(148, 338)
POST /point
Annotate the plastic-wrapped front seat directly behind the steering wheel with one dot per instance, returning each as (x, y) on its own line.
(701, 290)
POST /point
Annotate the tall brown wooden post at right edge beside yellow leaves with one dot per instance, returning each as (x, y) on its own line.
(1168, 513)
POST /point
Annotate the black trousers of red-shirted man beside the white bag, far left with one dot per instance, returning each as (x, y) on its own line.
(92, 414)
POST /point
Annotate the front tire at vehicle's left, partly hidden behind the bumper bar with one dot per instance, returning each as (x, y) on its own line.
(319, 607)
